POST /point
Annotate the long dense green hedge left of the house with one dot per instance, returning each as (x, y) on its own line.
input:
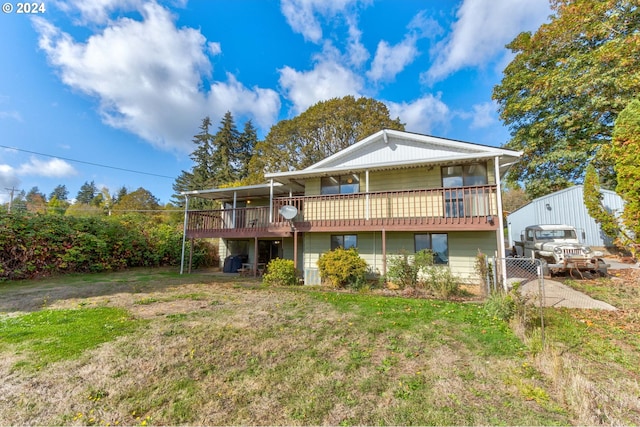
(33, 244)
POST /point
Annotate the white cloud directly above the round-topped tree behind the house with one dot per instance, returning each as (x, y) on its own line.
(328, 79)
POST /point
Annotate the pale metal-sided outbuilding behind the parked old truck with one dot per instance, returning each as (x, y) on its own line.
(564, 207)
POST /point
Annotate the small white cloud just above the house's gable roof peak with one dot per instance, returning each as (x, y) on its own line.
(421, 115)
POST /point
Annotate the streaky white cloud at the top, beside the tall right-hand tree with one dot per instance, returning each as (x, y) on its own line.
(482, 29)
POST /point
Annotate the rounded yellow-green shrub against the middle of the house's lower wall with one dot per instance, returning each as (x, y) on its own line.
(343, 268)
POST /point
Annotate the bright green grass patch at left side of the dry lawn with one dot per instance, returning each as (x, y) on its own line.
(49, 336)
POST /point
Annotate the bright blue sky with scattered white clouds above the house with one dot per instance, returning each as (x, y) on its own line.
(126, 83)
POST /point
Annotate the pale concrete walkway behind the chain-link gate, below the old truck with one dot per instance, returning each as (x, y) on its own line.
(560, 295)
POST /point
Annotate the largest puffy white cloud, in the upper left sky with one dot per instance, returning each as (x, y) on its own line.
(148, 75)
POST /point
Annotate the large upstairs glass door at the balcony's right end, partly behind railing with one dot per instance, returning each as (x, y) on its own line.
(462, 176)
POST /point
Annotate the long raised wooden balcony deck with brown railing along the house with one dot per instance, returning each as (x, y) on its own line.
(464, 208)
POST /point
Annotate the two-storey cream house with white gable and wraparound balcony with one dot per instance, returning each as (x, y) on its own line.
(390, 192)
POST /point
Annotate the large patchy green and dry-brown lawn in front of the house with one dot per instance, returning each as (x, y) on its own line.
(150, 347)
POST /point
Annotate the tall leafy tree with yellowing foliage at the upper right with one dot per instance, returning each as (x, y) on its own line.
(563, 90)
